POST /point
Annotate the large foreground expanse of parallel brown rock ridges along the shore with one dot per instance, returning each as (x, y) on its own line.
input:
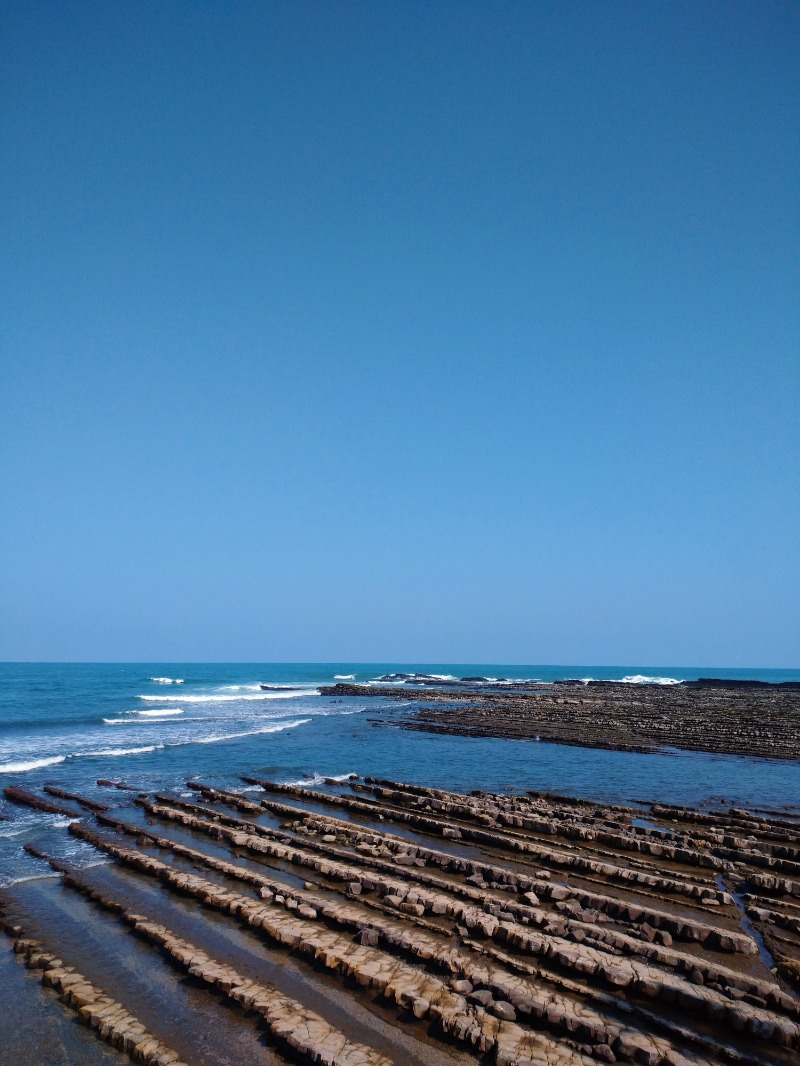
(511, 930)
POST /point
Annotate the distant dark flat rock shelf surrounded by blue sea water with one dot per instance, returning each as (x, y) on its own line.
(749, 719)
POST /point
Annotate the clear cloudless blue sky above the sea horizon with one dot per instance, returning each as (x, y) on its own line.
(402, 332)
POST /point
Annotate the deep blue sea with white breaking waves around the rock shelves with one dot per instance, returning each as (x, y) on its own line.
(70, 724)
